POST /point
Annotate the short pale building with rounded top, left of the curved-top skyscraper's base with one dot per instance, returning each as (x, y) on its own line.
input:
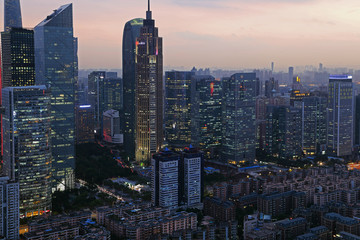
(111, 128)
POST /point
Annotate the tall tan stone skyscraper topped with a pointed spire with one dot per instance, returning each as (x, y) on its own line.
(149, 90)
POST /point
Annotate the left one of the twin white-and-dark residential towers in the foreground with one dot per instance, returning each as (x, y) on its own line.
(165, 179)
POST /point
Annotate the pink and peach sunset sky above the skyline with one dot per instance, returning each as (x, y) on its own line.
(218, 33)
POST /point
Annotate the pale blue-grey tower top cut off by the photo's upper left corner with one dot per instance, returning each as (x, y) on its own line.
(12, 14)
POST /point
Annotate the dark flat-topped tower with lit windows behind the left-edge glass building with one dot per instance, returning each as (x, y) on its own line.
(18, 59)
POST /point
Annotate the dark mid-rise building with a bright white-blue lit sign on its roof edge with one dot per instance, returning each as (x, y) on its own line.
(85, 124)
